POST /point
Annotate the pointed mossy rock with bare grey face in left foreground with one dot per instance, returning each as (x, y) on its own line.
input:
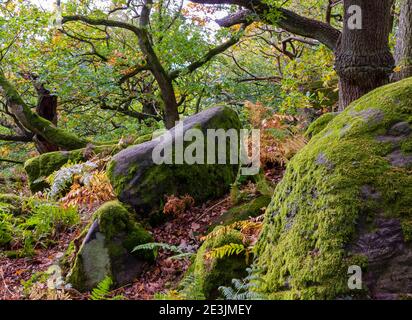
(107, 249)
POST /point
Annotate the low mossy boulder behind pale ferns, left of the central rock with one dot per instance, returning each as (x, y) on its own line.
(39, 168)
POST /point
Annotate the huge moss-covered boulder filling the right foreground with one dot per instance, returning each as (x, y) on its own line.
(345, 200)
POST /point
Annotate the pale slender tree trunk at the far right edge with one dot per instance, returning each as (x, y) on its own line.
(403, 51)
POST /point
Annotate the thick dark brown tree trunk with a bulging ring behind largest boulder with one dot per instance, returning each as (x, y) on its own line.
(363, 58)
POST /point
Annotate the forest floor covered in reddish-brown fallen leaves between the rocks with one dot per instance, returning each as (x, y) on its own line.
(185, 230)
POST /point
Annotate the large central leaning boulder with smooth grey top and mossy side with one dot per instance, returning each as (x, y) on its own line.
(138, 181)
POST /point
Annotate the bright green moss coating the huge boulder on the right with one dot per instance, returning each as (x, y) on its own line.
(312, 219)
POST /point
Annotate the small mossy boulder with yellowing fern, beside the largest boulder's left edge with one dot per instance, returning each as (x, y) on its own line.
(209, 273)
